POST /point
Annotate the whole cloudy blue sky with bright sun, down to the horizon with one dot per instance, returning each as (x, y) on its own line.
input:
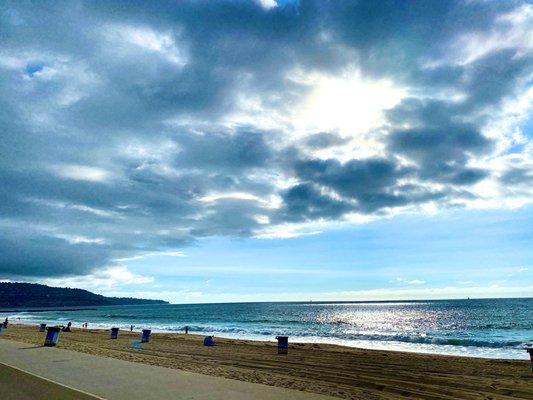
(262, 150)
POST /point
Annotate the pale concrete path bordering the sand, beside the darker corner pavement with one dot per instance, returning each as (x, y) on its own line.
(122, 380)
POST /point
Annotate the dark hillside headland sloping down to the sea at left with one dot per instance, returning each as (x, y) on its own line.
(29, 295)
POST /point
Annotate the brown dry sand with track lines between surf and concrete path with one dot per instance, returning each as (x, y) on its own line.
(333, 370)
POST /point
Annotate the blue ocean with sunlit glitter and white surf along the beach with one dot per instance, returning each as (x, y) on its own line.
(492, 328)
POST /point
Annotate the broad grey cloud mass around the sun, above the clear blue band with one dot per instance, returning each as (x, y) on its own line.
(122, 129)
